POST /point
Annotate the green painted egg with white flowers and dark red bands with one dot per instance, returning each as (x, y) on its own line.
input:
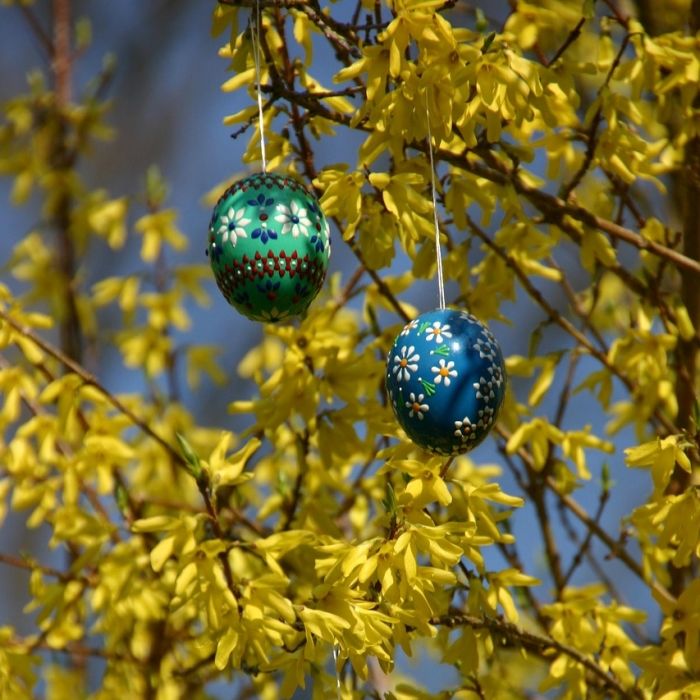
(269, 245)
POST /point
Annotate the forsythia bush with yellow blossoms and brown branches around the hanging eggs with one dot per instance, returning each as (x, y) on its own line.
(314, 546)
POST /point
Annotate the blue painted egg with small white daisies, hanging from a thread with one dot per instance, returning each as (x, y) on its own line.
(446, 381)
